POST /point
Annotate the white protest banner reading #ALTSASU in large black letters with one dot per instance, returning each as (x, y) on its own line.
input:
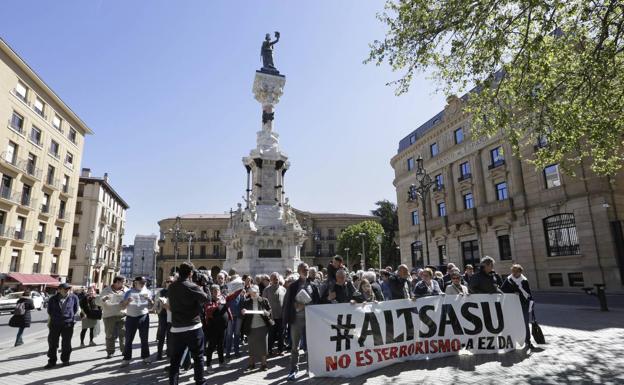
(346, 340)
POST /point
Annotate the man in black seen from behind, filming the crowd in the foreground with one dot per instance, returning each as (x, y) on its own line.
(186, 301)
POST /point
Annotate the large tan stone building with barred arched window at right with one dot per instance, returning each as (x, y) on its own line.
(566, 231)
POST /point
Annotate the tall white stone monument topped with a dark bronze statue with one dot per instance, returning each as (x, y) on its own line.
(265, 235)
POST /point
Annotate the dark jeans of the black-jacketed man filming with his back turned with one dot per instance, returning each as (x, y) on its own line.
(193, 340)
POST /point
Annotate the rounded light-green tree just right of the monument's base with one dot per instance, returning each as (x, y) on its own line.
(349, 237)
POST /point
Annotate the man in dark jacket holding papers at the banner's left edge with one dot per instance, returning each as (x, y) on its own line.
(299, 294)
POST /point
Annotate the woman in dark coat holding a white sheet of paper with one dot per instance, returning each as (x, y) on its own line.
(256, 313)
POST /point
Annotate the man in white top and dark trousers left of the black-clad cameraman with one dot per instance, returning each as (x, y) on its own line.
(137, 302)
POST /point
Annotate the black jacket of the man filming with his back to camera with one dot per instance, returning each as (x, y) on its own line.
(186, 300)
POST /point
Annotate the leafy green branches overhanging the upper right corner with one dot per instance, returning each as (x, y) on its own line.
(545, 70)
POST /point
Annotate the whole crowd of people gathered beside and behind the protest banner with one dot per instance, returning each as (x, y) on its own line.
(199, 316)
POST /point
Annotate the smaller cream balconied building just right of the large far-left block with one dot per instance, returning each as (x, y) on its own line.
(98, 232)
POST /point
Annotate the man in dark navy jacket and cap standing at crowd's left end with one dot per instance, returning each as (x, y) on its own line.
(62, 310)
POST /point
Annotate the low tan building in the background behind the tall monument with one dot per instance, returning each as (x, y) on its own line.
(208, 250)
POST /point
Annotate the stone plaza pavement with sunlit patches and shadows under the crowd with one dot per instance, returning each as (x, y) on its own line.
(584, 346)
